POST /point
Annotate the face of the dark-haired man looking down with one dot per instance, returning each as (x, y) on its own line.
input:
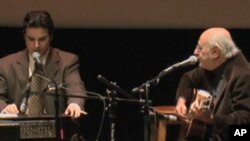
(37, 40)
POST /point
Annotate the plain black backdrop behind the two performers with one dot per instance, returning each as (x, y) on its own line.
(128, 57)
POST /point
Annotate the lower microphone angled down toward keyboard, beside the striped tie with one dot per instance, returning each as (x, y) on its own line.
(24, 103)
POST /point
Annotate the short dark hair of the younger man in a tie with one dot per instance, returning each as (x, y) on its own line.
(38, 19)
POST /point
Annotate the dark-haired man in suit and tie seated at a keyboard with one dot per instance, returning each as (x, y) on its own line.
(17, 69)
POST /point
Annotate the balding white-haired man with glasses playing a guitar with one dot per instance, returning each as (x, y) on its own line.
(220, 86)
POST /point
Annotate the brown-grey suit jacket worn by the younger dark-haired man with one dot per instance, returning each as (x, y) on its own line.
(60, 67)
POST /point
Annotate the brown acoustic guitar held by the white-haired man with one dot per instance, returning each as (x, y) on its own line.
(198, 117)
